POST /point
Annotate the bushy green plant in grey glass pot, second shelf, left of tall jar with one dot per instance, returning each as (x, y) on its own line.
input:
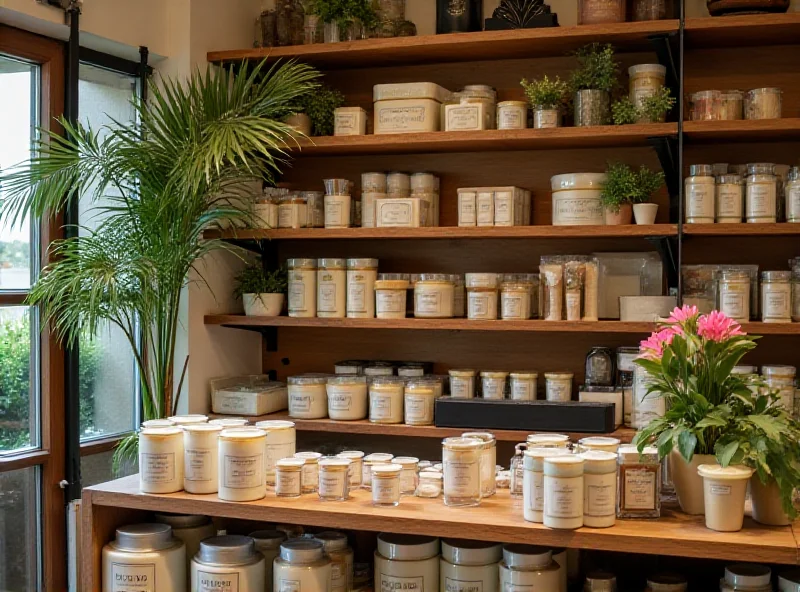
(592, 82)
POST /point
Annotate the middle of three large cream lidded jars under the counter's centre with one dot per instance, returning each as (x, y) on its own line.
(469, 566)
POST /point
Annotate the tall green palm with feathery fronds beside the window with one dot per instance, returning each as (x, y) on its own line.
(157, 186)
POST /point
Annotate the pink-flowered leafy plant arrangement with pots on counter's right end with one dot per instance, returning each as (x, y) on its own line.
(717, 426)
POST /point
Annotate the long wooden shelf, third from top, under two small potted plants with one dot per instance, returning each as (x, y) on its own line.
(455, 232)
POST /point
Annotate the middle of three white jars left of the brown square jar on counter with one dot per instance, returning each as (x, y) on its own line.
(563, 492)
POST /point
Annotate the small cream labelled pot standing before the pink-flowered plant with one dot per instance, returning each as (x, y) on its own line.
(724, 490)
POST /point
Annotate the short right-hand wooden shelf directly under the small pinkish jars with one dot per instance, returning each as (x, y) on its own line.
(755, 130)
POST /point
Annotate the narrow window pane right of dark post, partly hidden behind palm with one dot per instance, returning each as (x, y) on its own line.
(107, 371)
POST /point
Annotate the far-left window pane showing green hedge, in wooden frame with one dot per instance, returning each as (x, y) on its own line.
(19, 400)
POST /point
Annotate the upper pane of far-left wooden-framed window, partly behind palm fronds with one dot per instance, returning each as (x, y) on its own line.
(18, 121)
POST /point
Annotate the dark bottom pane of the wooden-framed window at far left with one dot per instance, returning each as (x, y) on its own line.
(19, 529)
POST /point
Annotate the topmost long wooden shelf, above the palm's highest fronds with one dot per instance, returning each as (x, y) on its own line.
(459, 47)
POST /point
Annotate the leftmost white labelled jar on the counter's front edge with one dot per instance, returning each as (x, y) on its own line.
(161, 460)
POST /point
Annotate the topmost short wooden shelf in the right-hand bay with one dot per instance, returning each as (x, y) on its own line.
(741, 31)
